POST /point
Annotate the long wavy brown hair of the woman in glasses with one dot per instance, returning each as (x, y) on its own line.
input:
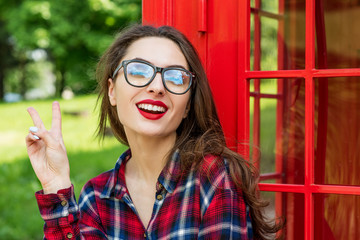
(200, 133)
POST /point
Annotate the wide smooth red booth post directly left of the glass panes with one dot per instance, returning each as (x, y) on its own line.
(222, 66)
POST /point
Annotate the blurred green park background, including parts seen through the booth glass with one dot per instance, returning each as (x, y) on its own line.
(48, 51)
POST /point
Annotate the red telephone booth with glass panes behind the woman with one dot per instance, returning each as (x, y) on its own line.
(300, 81)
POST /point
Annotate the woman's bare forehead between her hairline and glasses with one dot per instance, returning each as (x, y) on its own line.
(160, 51)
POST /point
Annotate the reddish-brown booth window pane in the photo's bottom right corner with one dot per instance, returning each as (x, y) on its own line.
(336, 216)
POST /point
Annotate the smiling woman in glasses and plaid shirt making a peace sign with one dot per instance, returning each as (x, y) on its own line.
(178, 180)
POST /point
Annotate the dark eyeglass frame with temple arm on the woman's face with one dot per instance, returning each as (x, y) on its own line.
(157, 69)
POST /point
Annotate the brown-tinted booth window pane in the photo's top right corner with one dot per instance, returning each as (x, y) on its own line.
(337, 34)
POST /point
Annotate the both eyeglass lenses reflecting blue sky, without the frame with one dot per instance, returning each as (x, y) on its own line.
(140, 74)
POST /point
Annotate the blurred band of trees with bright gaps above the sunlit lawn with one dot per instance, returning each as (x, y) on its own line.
(49, 46)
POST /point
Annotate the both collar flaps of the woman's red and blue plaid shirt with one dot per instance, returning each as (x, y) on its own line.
(116, 185)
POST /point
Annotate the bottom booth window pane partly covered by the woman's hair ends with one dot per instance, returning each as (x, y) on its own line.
(289, 206)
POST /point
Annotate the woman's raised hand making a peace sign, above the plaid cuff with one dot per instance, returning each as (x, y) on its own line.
(47, 152)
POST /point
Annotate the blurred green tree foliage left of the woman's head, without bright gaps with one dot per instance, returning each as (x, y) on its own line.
(72, 33)
